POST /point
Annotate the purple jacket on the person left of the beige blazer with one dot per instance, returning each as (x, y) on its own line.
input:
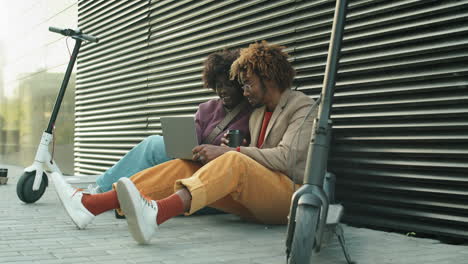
(211, 113)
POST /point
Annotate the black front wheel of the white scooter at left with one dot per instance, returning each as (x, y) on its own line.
(24, 187)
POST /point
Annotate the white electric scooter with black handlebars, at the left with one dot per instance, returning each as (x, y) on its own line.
(32, 184)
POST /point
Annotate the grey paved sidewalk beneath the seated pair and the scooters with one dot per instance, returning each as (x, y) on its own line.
(43, 233)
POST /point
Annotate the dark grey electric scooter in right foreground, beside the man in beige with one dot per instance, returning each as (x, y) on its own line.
(312, 213)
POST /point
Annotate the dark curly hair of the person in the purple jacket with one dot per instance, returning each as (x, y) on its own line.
(218, 64)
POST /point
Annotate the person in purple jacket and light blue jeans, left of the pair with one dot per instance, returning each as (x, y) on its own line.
(151, 151)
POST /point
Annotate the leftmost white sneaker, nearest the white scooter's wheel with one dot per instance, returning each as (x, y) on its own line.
(71, 199)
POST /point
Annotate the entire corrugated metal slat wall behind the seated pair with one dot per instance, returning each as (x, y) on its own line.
(400, 147)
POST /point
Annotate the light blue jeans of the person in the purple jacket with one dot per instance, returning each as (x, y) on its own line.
(146, 154)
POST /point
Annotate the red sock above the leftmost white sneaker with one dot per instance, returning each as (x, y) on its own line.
(101, 202)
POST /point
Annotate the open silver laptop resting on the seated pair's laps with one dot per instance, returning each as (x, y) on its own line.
(180, 136)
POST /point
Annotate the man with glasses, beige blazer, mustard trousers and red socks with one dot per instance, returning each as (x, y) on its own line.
(255, 182)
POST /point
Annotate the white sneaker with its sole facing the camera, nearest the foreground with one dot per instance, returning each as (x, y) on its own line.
(140, 212)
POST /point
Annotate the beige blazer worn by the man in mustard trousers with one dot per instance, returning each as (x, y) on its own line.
(281, 150)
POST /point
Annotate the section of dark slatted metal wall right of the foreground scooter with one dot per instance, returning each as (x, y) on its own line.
(400, 113)
